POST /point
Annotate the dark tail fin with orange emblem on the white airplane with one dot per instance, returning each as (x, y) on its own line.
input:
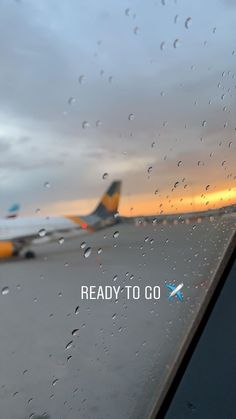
(109, 203)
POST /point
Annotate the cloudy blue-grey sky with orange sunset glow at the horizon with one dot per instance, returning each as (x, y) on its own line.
(140, 91)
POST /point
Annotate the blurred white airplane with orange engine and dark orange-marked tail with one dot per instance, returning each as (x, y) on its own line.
(18, 234)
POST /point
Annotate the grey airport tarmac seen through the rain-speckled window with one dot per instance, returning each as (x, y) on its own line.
(118, 361)
